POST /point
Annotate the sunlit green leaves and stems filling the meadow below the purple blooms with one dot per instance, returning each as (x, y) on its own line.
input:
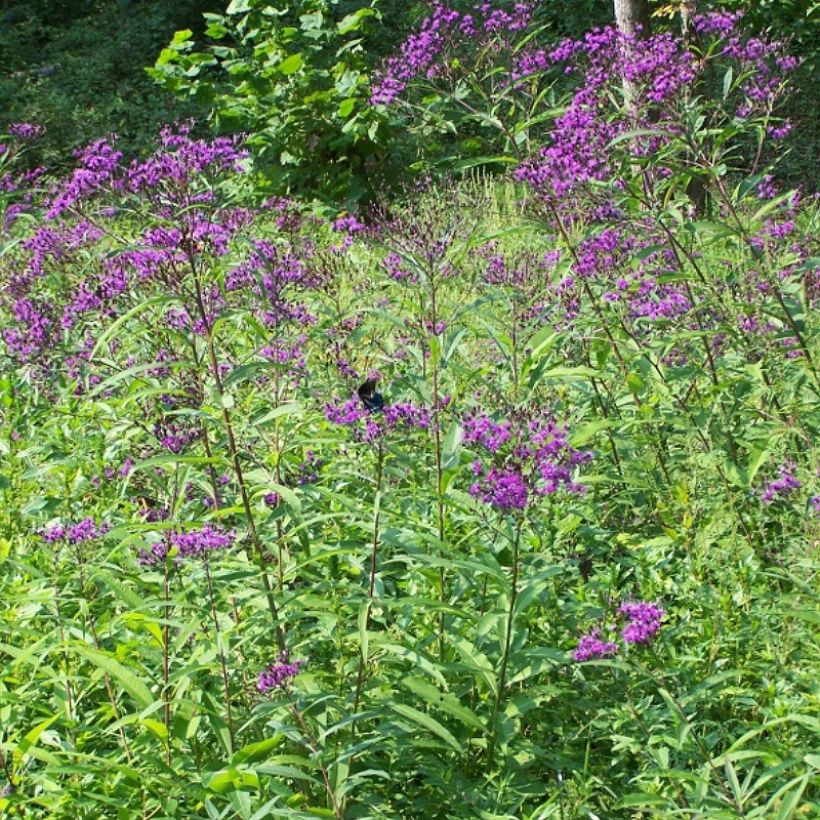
(437, 630)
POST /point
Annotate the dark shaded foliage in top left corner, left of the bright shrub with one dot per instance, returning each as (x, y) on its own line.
(78, 70)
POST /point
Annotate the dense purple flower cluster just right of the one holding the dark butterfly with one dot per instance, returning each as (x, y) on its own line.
(527, 456)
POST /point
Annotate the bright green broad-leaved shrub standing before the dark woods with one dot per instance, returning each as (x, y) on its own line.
(296, 79)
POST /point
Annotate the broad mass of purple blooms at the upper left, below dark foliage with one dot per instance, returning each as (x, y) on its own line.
(173, 189)
